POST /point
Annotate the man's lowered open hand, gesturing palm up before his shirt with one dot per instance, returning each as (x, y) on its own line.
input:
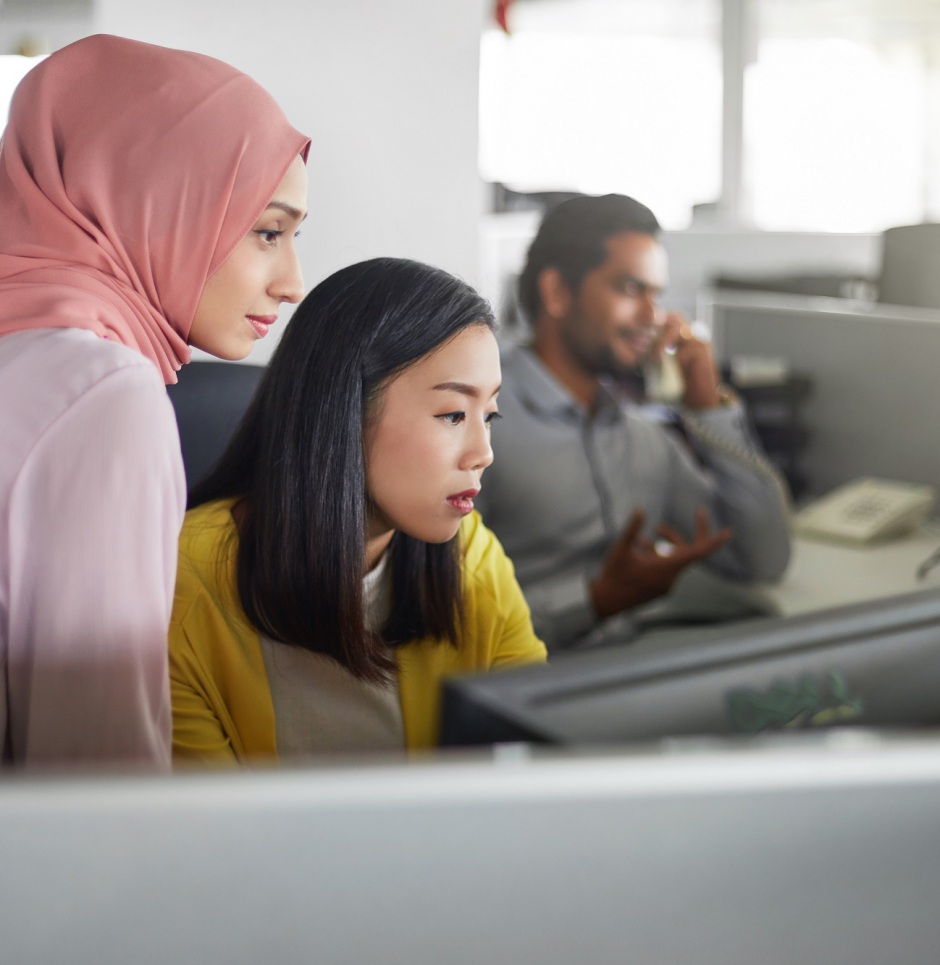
(634, 572)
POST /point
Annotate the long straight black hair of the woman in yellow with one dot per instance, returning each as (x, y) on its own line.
(297, 466)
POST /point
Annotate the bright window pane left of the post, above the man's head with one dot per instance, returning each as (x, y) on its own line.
(602, 95)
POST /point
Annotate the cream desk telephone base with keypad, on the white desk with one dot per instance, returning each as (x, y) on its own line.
(866, 510)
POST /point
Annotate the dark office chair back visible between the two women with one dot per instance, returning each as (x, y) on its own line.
(209, 400)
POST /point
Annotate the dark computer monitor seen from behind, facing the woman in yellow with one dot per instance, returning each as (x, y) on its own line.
(875, 664)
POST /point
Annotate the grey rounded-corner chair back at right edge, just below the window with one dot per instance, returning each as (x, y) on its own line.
(909, 266)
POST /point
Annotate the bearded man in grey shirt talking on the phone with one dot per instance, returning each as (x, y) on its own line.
(600, 507)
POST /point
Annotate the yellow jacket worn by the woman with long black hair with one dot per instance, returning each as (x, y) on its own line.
(222, 707)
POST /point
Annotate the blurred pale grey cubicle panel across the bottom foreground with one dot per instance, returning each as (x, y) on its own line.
(819, 851)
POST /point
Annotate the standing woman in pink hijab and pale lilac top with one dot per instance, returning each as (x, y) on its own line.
(149, 200)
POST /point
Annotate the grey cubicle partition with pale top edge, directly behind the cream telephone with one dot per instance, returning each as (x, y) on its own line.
(874, 405)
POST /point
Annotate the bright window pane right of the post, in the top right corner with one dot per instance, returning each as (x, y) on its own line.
(837, 132)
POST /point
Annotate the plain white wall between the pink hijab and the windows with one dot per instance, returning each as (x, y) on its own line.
(387, 91)
